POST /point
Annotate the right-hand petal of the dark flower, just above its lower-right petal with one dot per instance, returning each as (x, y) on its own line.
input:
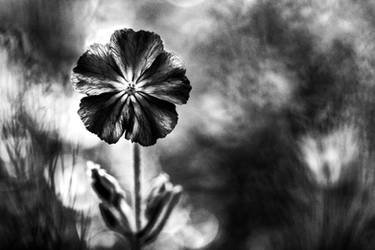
(166, 79)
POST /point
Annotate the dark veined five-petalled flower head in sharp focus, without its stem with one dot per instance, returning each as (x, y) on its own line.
(132, 85)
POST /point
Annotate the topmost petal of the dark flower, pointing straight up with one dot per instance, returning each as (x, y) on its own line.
(134, 52)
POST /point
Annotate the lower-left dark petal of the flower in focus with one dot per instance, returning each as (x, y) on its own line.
(104, 116)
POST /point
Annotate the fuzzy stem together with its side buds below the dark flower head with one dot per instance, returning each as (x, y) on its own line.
(118, 214)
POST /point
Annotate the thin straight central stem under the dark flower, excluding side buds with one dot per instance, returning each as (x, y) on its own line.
(137, 193)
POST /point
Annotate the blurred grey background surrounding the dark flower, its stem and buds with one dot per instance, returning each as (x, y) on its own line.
(274, 148)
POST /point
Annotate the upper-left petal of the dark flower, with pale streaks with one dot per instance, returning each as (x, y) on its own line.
(96, 72)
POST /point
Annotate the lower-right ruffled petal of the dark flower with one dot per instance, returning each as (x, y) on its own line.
(153, 119)
